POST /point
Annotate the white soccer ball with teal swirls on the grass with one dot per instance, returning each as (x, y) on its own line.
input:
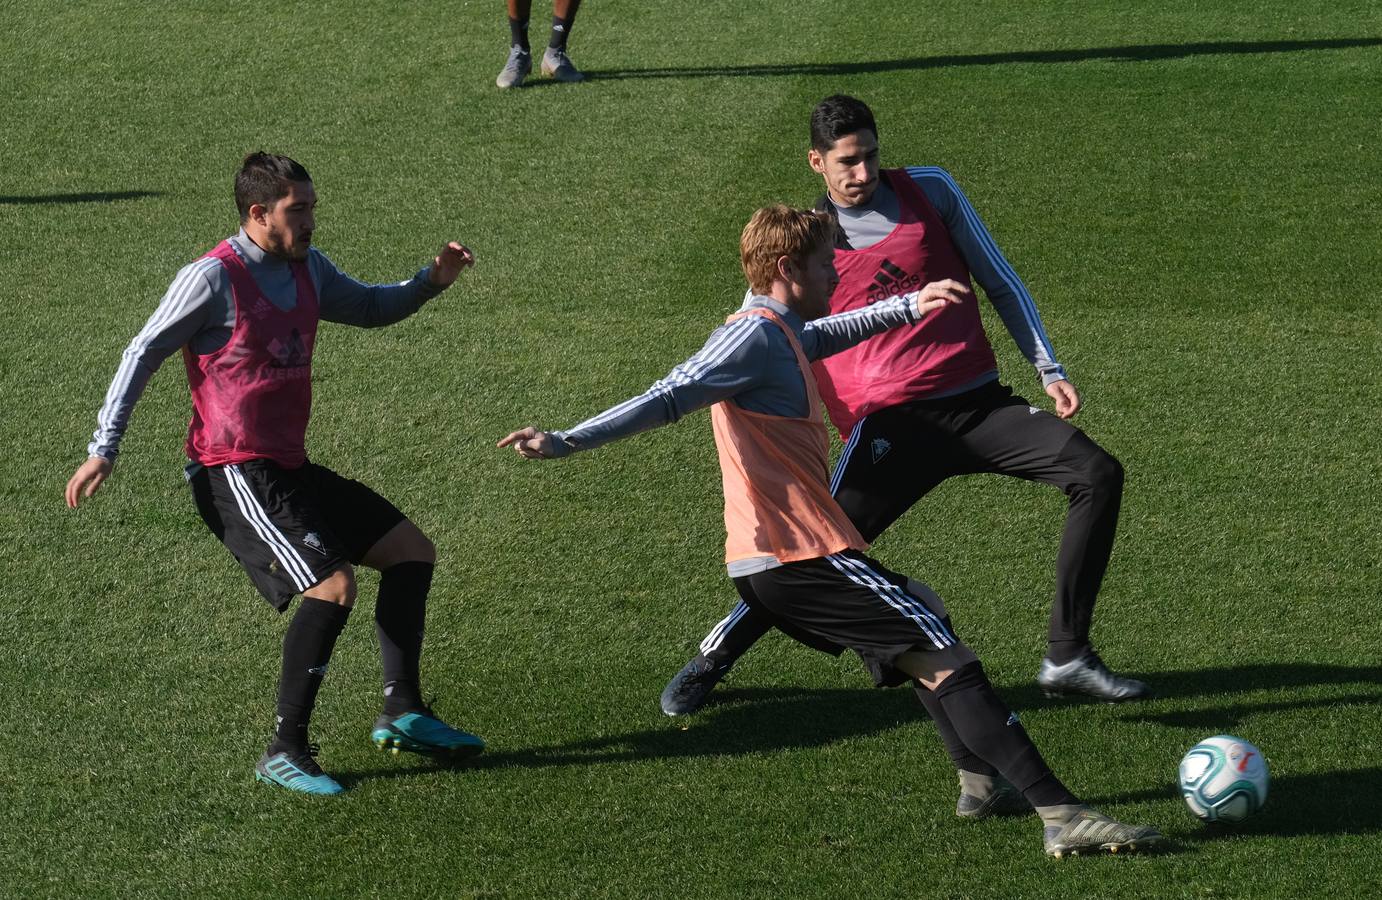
(1224, 779)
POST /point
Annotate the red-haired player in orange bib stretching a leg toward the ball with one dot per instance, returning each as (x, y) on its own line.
(791, 550)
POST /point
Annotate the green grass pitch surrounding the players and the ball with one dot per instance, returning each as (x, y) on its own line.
(1189, 190)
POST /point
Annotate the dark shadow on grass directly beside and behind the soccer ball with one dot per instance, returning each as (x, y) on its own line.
(1325, 804)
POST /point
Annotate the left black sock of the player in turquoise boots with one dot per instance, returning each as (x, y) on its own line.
(307, 649)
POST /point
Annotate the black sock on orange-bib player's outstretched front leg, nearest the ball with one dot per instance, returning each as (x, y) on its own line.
(993, 733)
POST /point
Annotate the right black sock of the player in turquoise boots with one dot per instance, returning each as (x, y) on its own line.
(400, 620)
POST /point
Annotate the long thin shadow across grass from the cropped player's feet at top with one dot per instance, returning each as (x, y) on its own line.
(1137, 53)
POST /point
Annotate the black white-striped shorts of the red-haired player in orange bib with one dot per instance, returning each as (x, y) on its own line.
(851, 601)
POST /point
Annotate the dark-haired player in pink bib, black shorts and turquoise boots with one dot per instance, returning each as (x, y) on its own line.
(245, 317)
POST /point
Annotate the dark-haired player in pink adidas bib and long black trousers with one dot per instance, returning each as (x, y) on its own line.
(924, 403)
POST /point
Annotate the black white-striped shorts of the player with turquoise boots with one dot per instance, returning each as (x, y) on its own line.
(291, 527)
